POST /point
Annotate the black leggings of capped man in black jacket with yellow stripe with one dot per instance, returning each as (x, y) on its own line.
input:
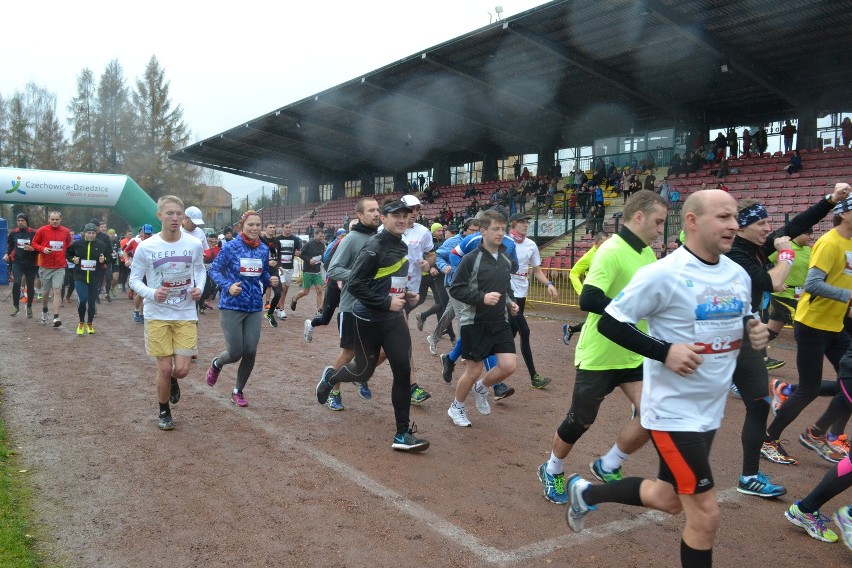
(370, 338)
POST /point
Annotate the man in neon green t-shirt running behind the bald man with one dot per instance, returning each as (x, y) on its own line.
(601, 364)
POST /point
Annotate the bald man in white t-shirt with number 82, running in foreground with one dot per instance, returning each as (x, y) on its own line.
(697, 303)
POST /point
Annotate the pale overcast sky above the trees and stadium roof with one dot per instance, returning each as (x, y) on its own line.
(228, 62)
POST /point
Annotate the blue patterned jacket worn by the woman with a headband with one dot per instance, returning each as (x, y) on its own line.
(225, 271)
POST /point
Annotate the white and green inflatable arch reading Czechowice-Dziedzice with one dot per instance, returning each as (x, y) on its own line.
(45, 187)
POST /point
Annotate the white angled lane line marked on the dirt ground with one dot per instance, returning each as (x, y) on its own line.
(456, 534)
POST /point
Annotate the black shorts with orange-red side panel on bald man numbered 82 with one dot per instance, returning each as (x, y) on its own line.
(685, 460)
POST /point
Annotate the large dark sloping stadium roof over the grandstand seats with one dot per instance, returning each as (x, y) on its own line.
(555, 76)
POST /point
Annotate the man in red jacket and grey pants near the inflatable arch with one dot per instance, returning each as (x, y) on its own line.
(51, 241)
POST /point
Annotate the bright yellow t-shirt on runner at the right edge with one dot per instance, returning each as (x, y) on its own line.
(832, 254)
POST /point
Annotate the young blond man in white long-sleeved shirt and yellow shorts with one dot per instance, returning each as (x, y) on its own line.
(172, 264)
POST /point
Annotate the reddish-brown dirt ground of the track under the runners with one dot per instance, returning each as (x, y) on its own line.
(287, 482)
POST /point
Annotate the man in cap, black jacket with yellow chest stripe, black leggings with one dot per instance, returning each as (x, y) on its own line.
(378, 282)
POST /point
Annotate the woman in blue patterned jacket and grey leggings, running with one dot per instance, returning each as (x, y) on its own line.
(241, 271)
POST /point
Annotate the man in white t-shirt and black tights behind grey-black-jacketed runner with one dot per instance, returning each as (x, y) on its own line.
(529, 264)
